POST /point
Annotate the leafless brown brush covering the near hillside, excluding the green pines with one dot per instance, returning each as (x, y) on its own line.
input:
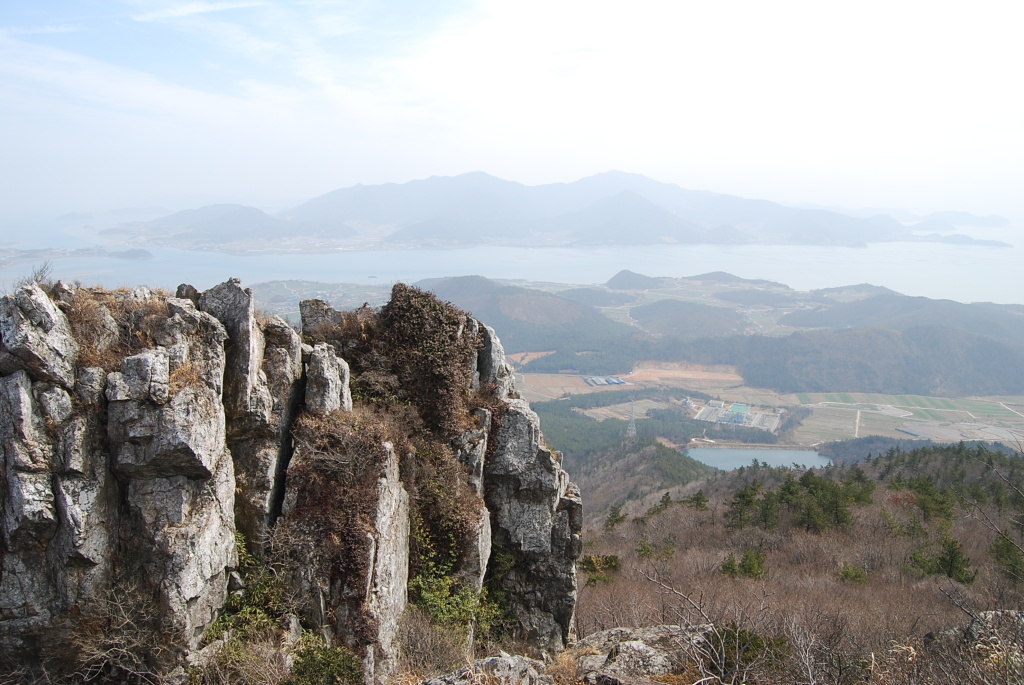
(846, 605)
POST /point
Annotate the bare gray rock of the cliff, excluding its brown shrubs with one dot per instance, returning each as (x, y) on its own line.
(132, 485)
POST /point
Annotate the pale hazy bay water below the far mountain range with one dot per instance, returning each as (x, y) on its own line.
(966, 274)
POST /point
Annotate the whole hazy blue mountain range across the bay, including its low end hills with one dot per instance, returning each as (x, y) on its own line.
(613, 208)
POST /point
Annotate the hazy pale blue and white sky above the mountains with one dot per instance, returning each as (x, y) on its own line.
(868, 104)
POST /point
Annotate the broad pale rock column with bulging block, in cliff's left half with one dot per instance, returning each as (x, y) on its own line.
(169, 446)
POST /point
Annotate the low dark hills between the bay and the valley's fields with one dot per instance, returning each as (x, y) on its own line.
(860, 338)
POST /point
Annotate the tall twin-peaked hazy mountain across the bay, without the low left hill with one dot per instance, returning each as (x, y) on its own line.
(614, 208)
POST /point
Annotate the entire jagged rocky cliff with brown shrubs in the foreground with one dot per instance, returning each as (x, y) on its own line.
(150, 440)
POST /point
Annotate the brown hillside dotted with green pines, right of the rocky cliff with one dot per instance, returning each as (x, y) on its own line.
(864, 575)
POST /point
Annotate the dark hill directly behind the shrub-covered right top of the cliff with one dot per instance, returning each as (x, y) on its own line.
(530, 321)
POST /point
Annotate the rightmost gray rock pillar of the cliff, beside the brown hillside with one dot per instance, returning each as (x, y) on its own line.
(538, 518)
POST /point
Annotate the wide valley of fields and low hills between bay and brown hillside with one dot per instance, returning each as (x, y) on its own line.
(744, 341)
